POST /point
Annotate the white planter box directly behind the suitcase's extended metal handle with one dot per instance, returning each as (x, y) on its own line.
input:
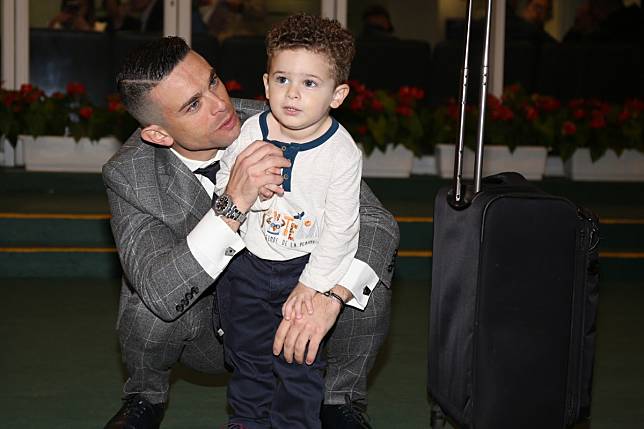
(530, 161)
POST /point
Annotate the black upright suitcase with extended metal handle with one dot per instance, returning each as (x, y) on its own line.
(513, 300)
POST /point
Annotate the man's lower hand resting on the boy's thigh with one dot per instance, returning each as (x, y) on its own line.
(293, 335)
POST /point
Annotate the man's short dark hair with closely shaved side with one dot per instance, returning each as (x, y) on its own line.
(143, 69)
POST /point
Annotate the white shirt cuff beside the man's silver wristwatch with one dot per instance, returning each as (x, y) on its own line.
(213, 244)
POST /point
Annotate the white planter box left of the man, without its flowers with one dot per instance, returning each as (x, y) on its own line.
(55, 153)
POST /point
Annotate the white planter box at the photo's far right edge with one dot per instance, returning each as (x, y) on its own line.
(629, 167)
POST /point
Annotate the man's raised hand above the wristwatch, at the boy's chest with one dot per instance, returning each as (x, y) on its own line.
(257, 167)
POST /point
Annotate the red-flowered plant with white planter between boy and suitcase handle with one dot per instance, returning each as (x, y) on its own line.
(390, 127)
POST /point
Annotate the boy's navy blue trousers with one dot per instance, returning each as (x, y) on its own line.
(265, 391)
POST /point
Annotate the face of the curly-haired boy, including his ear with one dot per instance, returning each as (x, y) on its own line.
(301, 89)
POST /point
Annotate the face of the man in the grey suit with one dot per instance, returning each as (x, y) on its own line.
(195, 109)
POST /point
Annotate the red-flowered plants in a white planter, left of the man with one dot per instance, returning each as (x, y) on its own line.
(64, 131)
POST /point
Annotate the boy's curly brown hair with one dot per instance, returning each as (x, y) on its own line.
(319, 35)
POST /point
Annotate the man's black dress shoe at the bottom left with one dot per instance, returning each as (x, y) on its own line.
(137, 413)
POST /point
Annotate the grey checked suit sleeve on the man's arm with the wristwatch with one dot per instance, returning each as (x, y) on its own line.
(159, 266)
